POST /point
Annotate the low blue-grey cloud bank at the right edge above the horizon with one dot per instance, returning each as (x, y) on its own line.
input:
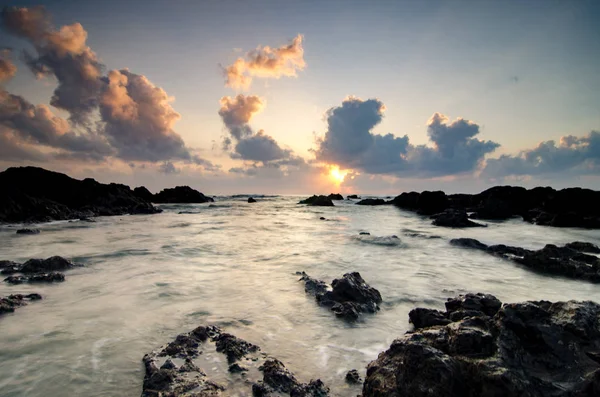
(572, 155)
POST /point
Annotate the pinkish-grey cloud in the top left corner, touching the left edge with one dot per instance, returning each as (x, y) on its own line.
(62, 53)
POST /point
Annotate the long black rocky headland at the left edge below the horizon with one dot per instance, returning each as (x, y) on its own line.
(31, 194)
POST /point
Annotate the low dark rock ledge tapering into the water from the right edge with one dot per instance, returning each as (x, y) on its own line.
(561, 261)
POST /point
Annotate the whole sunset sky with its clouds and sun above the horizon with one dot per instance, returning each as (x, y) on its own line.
(289, 97)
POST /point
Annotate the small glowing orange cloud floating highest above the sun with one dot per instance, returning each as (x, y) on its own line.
(266, 62)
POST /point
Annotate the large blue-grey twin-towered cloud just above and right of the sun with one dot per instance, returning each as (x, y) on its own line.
(350, 143)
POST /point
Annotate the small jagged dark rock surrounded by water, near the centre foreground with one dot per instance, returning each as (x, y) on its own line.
(348, 297)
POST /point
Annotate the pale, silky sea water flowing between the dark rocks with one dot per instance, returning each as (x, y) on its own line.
(148, 278)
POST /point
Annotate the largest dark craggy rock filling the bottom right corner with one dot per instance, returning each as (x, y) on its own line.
(521, 349)
